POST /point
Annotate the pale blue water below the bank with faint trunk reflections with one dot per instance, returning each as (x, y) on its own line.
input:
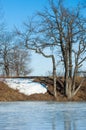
(42, 116)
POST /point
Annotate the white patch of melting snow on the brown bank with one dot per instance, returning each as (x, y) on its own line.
(26, 86)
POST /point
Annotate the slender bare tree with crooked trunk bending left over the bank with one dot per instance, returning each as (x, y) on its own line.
(31, 40)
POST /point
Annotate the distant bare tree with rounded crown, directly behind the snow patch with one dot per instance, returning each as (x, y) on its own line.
(20, 62)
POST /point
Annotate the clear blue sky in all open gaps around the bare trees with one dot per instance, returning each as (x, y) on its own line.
(15, 13)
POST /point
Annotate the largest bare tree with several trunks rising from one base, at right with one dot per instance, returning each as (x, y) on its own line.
(65, 29)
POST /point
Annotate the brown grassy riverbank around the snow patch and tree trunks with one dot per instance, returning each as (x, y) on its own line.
(8, 94)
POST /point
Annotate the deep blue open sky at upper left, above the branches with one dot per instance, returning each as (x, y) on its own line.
(17, 11)
